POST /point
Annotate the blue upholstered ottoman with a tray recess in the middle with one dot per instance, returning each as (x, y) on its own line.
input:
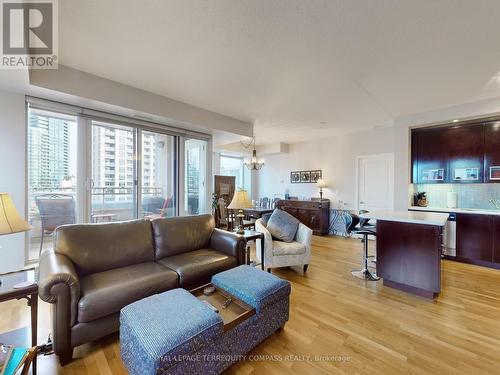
(176, 333)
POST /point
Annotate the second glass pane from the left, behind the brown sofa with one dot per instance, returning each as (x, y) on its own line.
(113, 187)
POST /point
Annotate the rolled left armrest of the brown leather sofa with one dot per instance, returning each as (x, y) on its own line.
(58, 283)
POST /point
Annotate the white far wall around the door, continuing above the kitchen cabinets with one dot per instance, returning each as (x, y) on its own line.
(336, 156)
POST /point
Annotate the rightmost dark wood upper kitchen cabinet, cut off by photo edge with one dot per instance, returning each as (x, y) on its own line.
(492, 151)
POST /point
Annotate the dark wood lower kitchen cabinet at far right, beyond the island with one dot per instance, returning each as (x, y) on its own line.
(475, 236)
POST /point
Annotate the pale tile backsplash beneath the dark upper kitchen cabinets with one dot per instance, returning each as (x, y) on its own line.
(469, 195)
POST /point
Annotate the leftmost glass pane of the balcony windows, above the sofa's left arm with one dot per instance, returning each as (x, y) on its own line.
(52, 176)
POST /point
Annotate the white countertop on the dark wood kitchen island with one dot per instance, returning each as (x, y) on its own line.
(412, 217)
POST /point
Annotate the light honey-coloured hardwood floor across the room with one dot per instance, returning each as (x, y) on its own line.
(339, 324)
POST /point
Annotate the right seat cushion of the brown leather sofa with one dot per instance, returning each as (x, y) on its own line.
(198, 266)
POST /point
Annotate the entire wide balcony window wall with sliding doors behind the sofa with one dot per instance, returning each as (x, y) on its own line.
(83, 168)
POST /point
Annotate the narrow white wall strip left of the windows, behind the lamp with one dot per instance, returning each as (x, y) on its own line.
(12, 173)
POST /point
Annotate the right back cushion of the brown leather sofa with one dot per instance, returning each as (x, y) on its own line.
(176, 235)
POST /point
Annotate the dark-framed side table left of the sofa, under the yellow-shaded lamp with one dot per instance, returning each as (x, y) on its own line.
(30, 293)
